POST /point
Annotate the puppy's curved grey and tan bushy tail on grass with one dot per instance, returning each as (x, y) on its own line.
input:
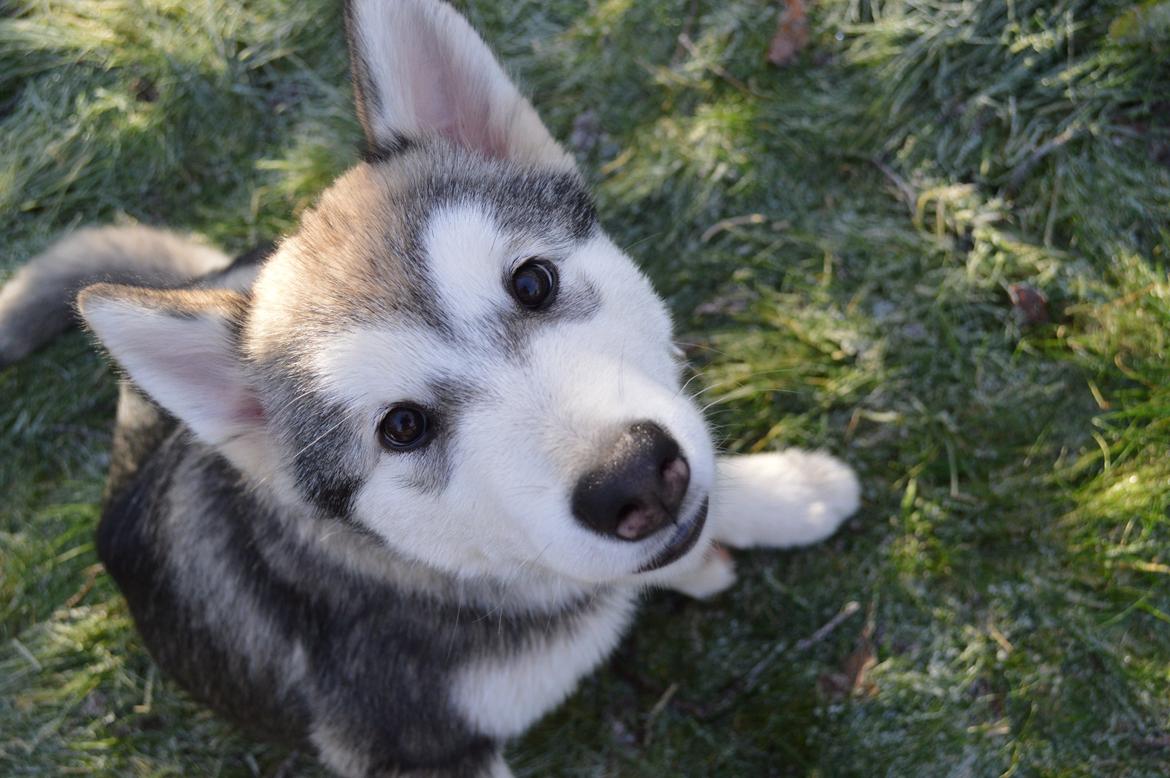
(38, 302)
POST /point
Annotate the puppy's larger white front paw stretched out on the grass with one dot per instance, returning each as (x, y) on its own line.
(792, 498)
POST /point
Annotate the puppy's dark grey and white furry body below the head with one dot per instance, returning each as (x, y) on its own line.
(302, 645)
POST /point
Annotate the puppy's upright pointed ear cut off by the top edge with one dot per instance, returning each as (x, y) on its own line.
(419, 68)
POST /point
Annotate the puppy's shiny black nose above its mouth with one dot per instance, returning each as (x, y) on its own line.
(638, 488)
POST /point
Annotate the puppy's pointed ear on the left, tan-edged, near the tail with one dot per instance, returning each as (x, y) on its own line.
(180, 347)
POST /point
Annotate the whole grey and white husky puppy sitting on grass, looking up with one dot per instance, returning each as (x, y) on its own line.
(389, 491)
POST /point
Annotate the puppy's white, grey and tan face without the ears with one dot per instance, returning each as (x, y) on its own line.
(478, 349)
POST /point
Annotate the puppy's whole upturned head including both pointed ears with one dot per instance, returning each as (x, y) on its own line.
(450, 354)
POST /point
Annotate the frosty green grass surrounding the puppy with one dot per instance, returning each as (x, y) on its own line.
(1013, 560)
